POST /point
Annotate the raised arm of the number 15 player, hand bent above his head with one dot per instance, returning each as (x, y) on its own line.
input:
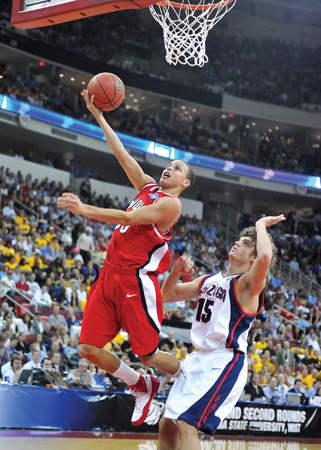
(251, 284)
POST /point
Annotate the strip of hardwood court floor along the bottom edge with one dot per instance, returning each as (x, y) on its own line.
(39, 440)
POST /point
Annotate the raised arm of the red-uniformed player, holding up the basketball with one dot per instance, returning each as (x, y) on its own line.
(133, 170)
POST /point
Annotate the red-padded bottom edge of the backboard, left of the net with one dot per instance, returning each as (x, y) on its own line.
(40, 13)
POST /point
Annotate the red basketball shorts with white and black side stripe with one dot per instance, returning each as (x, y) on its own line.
(123, 299)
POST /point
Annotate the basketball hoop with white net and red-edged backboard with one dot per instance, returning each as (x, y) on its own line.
(185, 23)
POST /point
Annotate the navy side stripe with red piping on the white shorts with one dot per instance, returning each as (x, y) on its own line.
(201, 415)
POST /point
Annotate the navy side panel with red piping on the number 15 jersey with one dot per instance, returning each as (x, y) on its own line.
(239, 320)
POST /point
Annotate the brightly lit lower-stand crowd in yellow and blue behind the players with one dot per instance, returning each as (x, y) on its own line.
(50, 259)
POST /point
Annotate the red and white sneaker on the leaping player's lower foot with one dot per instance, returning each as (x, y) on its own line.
(144, 392)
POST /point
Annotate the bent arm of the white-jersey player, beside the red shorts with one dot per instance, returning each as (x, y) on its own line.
(176, 292)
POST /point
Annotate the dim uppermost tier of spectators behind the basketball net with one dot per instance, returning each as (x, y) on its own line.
(270, 71)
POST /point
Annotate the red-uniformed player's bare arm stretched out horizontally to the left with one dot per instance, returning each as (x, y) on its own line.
(162, 213)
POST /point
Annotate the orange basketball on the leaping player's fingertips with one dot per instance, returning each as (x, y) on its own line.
(108, 90)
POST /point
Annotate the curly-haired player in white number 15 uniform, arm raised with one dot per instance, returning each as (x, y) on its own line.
(213, 379)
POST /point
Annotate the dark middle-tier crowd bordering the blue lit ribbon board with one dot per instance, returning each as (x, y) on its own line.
(276, 152)
